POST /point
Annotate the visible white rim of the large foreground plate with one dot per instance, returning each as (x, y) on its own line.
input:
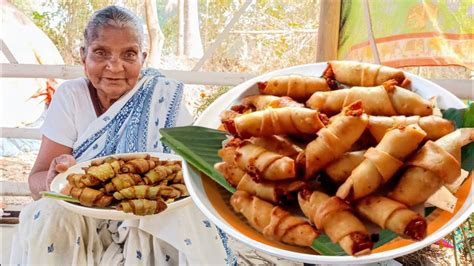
(200, 191)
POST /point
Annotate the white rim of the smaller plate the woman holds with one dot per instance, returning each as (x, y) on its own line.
(109, 213)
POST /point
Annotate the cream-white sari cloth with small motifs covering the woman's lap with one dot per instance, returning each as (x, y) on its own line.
(49, 234)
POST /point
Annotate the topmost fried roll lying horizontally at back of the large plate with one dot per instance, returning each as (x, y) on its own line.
(354, 73)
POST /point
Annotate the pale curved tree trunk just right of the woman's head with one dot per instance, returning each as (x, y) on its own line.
(156, 37)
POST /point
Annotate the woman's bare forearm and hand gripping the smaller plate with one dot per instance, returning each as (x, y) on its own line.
(52, 158)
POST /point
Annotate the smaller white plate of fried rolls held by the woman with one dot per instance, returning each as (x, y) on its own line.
(123, 186)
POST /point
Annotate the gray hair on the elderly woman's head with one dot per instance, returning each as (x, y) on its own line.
(114, 16)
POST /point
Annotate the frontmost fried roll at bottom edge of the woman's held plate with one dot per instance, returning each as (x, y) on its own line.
(142, 206)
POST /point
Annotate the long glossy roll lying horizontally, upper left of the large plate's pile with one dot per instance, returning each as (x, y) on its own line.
(276, 121)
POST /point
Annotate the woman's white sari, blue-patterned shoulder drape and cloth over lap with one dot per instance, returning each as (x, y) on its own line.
(50, 234)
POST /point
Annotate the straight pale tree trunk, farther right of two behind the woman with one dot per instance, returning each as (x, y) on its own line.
(192, 35)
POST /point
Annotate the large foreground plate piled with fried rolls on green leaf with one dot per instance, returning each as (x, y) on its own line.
(329, 162)
